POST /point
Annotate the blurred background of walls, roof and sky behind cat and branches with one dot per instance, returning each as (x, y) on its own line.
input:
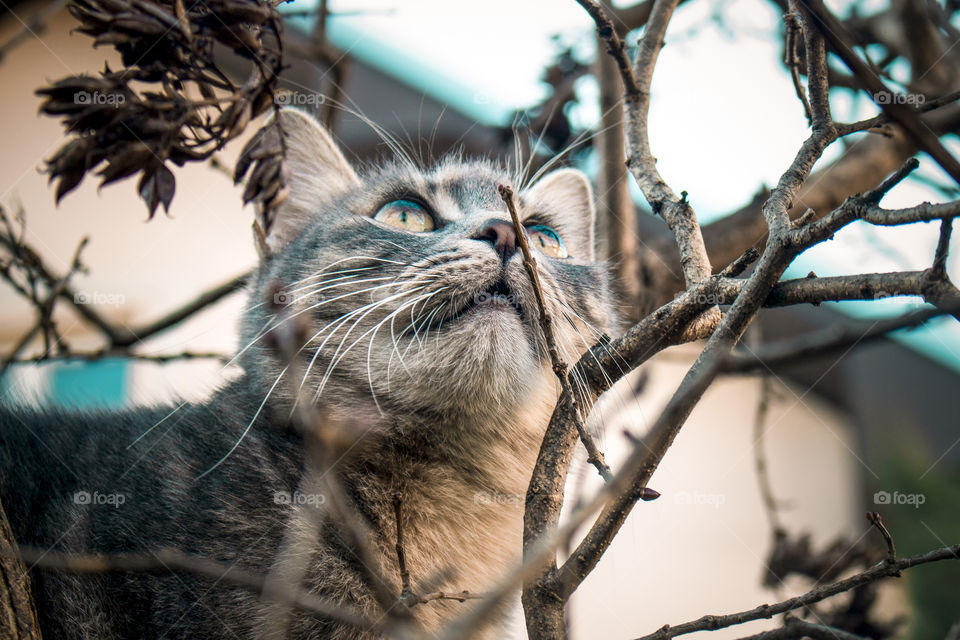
(839, 433)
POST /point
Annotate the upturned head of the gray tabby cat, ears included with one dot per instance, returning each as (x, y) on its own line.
(412, 281)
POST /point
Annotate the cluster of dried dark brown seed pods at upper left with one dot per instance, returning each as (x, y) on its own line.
(134, 129)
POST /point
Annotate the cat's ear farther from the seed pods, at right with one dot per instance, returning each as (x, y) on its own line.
(566, 196)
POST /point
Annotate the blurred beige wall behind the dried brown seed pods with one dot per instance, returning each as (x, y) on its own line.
(151, 266)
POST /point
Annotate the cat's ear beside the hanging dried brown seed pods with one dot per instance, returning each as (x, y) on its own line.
(315, 171)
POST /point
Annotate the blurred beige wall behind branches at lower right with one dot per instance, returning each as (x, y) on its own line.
(700, 547)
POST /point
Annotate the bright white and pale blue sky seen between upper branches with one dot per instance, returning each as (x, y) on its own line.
(719, 93)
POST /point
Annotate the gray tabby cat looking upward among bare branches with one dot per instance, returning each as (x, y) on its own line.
(421, 321)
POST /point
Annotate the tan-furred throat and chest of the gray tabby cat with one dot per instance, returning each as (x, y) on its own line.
(463, 481)
